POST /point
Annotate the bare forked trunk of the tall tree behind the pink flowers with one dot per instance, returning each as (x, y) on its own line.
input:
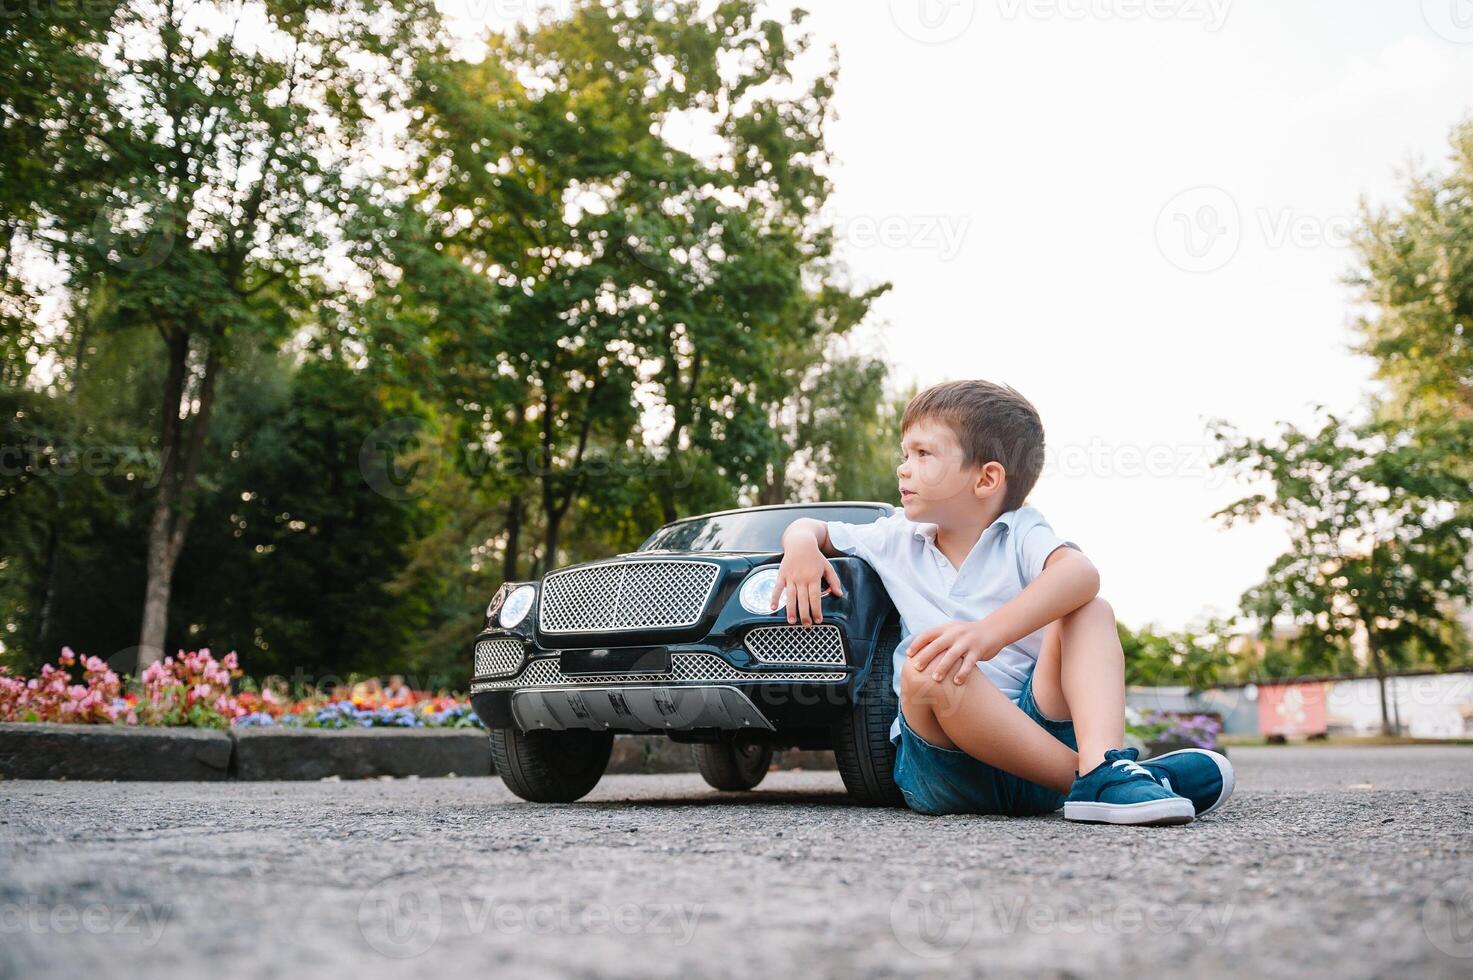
(179, 465)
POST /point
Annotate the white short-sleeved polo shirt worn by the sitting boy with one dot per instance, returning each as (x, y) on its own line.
(929, 592)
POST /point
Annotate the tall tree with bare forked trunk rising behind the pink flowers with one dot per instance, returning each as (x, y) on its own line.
(223, 182)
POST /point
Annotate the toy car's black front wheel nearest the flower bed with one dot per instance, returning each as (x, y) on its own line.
(550, 767)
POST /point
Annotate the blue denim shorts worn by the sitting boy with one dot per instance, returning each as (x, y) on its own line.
(938, 780)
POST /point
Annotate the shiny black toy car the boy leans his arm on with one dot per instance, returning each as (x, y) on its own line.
(677, 639)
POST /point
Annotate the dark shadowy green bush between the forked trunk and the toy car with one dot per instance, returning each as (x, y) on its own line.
(294, 552)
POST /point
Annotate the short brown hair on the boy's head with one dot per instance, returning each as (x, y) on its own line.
(994, 424)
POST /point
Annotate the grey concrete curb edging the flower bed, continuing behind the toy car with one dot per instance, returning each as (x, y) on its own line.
(139, 754)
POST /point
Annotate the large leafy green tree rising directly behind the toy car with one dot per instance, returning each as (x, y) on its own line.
(603, 294)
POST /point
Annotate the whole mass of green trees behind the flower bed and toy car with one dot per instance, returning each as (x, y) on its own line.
(597, 291)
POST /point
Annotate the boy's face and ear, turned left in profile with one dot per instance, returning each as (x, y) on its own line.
(935, 484)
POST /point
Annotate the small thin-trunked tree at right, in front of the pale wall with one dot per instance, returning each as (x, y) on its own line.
(1379, 537)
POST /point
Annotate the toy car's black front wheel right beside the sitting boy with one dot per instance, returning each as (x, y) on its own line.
(862, 748)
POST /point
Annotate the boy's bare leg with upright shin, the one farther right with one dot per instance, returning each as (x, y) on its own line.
(1082, 677)
